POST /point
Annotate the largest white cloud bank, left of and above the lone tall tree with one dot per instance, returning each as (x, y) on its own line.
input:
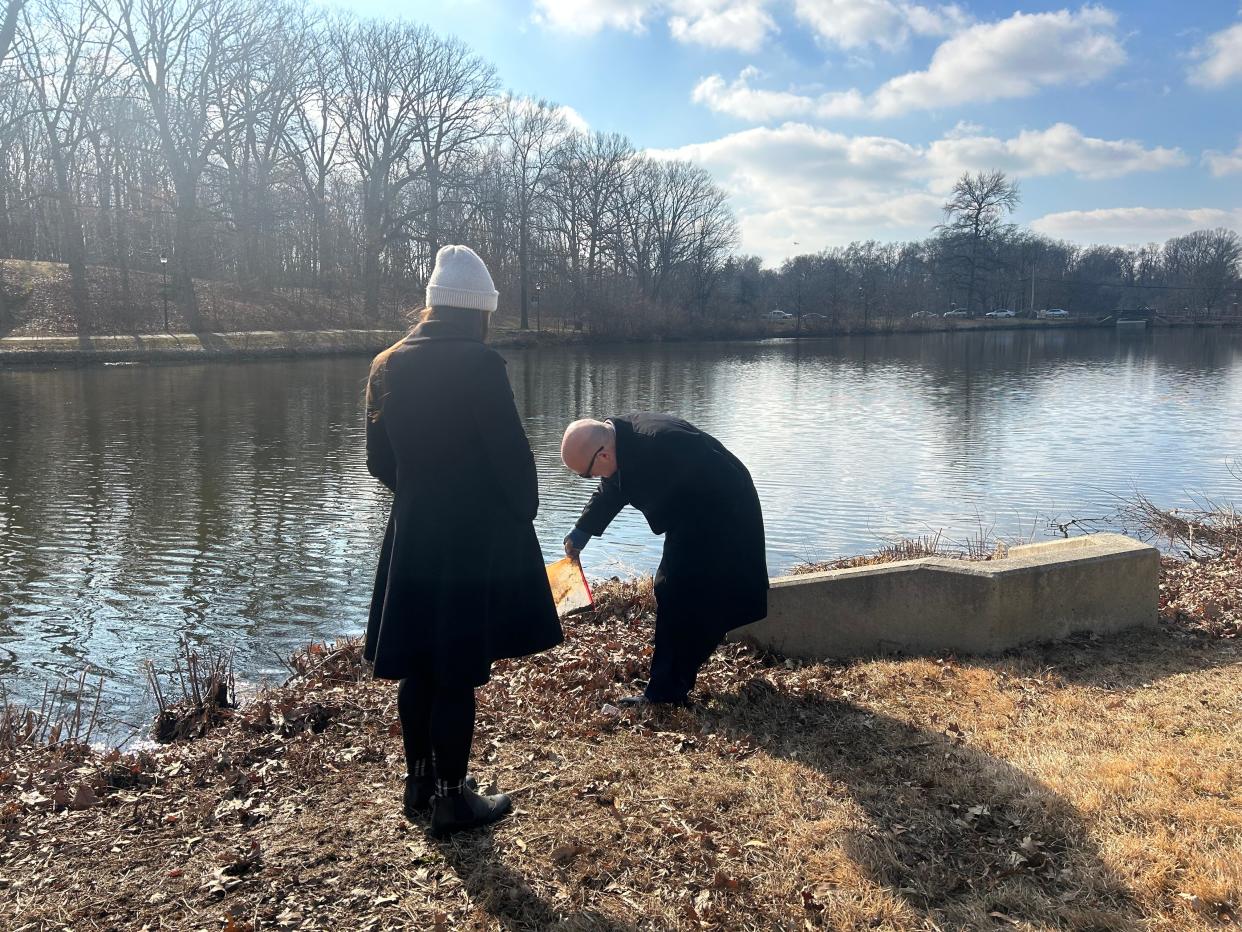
(822, 188)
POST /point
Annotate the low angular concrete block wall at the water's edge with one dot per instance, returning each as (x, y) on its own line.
(1041, 592)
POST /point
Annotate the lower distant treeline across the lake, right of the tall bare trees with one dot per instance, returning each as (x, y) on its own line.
(1192, 276)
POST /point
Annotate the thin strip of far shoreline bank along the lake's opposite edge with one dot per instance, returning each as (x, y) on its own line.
(263, 345)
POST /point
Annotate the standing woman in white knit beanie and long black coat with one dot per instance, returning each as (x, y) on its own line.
(461, 581)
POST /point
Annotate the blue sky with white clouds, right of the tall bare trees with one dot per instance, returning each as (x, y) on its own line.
(832, 121)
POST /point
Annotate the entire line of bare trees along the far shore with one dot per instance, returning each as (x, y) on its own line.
(278, 147)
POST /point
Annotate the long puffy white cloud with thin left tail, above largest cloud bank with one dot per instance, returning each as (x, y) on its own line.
(1015, 58)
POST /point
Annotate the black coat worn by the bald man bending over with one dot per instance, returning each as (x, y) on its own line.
(714, 576)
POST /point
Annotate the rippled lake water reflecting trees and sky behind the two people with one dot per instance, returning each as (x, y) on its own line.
(230, 504)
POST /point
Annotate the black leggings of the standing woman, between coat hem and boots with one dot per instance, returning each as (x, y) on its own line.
(438, 724)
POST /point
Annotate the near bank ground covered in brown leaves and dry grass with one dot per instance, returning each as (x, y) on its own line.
(1091, 785)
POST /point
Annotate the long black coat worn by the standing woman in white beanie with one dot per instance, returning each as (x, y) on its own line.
(461, 581)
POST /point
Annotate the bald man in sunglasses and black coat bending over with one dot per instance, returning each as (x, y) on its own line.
(714, 576)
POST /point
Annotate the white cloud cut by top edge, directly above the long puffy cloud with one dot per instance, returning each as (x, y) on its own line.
(889, 24)
